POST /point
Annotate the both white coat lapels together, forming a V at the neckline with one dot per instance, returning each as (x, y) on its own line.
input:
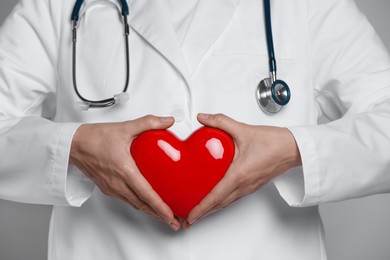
(210, 19)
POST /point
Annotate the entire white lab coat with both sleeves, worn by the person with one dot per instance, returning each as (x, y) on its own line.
(332, 59)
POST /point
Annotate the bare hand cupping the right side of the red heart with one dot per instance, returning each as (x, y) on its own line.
(261, 153)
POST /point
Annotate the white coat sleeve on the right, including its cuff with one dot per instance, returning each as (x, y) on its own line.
(349, 156)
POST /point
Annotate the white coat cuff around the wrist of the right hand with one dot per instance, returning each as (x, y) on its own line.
(300, 186)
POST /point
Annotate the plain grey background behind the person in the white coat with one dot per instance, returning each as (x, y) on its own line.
(356, 230)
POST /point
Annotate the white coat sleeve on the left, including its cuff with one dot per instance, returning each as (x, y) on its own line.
(34, 151)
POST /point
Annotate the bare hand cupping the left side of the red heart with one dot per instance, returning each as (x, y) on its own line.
(102, 152)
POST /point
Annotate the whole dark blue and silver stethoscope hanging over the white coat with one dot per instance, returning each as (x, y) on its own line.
(272, 94)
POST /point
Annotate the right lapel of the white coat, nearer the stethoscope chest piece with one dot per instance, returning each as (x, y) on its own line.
(209, 21)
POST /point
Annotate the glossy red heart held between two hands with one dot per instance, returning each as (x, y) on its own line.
(183, 172)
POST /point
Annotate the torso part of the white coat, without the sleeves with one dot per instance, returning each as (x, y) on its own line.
(215, 69)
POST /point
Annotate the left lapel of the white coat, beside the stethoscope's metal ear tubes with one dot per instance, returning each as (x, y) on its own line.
(148, 18)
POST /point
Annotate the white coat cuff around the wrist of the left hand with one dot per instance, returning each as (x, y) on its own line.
(70, 187)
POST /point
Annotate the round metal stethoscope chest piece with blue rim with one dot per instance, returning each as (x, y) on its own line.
(272, 95)
